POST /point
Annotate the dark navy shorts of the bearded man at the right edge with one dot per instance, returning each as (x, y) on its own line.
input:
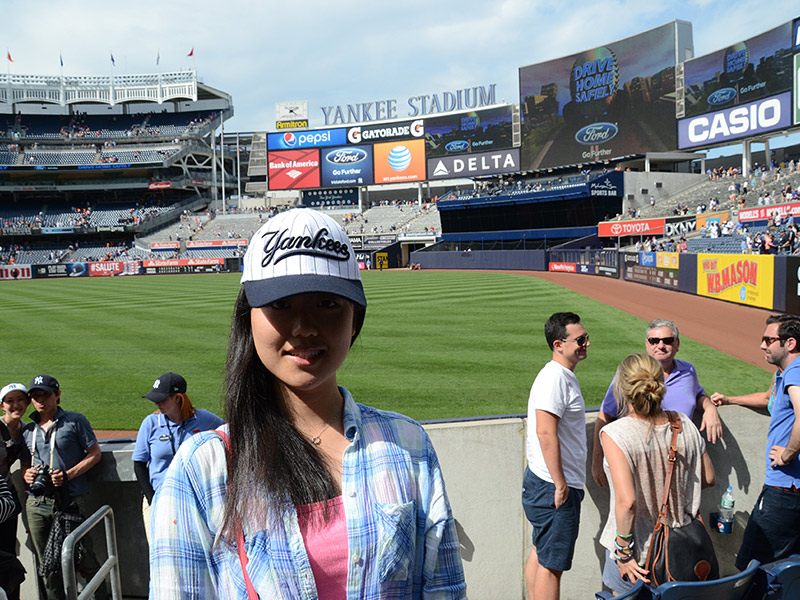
(773, 531)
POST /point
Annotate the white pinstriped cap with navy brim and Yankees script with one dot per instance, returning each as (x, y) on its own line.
(299, 251)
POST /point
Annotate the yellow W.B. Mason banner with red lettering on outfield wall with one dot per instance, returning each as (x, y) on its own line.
(736, 278)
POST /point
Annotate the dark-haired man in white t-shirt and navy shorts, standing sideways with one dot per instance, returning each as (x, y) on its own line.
(556, 450)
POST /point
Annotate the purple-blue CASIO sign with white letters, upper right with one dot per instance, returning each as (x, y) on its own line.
(735, 123)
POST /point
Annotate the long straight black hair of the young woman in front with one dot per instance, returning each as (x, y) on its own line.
(271, 461)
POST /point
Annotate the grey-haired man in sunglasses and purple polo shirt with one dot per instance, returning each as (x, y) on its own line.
(684, 392)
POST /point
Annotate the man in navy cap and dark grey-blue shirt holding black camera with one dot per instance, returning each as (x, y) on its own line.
(62, 449)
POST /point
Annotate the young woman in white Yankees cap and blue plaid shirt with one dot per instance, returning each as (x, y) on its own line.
(311, 495)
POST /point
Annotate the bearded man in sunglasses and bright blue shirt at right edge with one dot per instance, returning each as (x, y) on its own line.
(773, 530)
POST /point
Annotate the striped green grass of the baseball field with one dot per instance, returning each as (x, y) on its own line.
(435, 345)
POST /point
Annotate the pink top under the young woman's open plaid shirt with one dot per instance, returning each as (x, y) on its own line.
(326, 546)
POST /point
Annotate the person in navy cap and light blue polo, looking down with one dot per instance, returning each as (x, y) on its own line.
(162, 432)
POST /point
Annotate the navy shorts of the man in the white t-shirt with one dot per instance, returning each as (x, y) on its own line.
(555, 530)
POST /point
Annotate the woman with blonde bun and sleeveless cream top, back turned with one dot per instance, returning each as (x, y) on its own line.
(636, 448)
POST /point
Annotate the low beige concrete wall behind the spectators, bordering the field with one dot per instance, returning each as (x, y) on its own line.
(483, 462)
